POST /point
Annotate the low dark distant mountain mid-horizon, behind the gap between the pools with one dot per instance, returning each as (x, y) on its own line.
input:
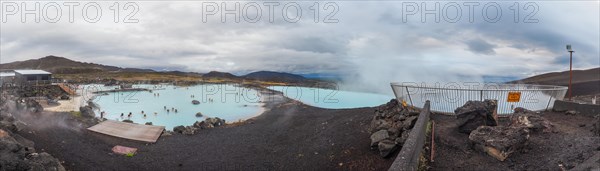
(275, 76)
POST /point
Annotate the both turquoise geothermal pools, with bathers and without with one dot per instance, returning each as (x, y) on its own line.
(226, 101)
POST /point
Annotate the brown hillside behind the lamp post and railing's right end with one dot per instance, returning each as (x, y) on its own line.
(585, 82)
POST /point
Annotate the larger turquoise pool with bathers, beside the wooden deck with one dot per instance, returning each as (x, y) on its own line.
(228, 102)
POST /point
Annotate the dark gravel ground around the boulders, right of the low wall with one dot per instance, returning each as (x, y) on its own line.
(570, 145)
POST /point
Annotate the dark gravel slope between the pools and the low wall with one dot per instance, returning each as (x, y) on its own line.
(289, 136)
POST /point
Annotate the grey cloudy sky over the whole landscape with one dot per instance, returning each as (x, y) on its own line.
(373, 43)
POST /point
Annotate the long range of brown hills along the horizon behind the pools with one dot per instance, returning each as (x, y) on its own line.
(75, 71)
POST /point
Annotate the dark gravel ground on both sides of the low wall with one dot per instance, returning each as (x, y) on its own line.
(294, 136)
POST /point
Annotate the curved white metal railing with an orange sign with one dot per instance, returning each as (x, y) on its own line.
(447, 99)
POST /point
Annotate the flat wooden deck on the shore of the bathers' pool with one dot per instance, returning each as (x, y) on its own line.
(145, 133)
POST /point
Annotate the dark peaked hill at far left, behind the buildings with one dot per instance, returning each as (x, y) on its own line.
(61, 65)
